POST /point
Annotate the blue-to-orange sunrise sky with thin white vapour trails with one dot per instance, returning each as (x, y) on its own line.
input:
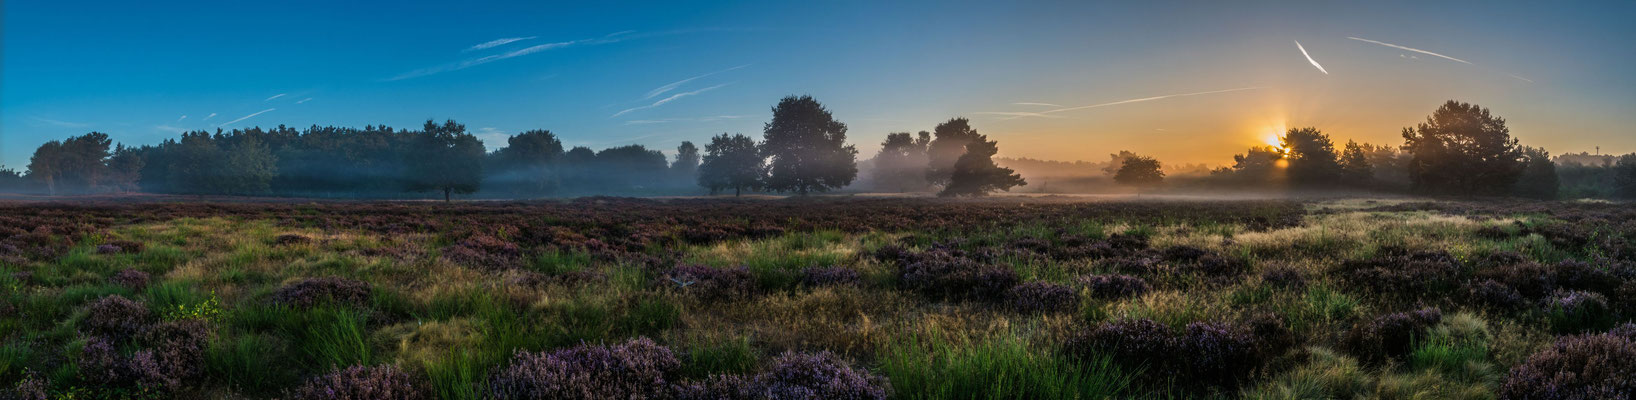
(1180, 81)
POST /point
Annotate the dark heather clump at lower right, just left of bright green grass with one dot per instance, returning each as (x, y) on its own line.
(1391, 335)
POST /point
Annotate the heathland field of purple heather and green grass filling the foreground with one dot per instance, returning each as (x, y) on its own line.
(819, 299)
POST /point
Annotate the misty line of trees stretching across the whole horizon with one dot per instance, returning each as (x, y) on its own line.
(1460, 150)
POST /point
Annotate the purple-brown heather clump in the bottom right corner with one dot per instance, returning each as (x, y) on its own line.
(1578, 368)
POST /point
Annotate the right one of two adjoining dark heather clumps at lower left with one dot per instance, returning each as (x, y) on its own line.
(174, 357)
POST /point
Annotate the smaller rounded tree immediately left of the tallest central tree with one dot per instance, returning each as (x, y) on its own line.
(732, 163)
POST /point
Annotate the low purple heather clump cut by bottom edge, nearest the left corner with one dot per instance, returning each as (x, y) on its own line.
(361, 383)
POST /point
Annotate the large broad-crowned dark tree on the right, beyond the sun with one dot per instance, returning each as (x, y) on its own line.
(1463, 150)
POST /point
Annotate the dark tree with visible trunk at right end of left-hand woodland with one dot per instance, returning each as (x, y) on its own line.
(446, 158)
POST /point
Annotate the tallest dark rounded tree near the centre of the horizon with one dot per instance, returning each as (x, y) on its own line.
(807, 148)
